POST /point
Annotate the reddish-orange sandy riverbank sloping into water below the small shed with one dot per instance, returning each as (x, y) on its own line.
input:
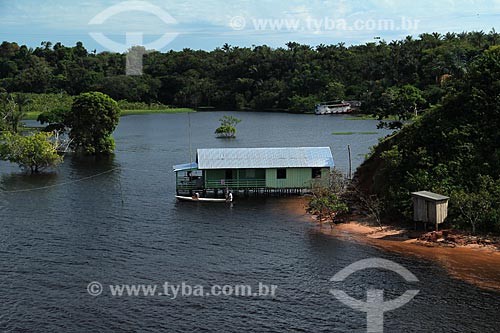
(475, 263)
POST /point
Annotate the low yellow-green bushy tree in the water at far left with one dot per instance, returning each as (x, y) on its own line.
(35, 152)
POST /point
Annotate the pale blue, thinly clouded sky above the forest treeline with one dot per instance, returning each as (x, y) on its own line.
(114, 25)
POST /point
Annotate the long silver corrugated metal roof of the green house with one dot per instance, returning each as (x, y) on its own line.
(262, 158)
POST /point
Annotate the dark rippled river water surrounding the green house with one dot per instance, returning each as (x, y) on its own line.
(119, 224)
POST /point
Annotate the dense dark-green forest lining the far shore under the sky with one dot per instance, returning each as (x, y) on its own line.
(292, 78)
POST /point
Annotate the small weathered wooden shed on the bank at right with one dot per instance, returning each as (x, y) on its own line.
(429, 207)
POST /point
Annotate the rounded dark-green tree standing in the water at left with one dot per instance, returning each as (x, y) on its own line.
(92, 119)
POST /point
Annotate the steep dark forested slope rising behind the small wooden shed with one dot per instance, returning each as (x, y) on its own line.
(453, 149)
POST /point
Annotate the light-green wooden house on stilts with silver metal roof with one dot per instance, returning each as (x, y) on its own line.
(255, 170)
